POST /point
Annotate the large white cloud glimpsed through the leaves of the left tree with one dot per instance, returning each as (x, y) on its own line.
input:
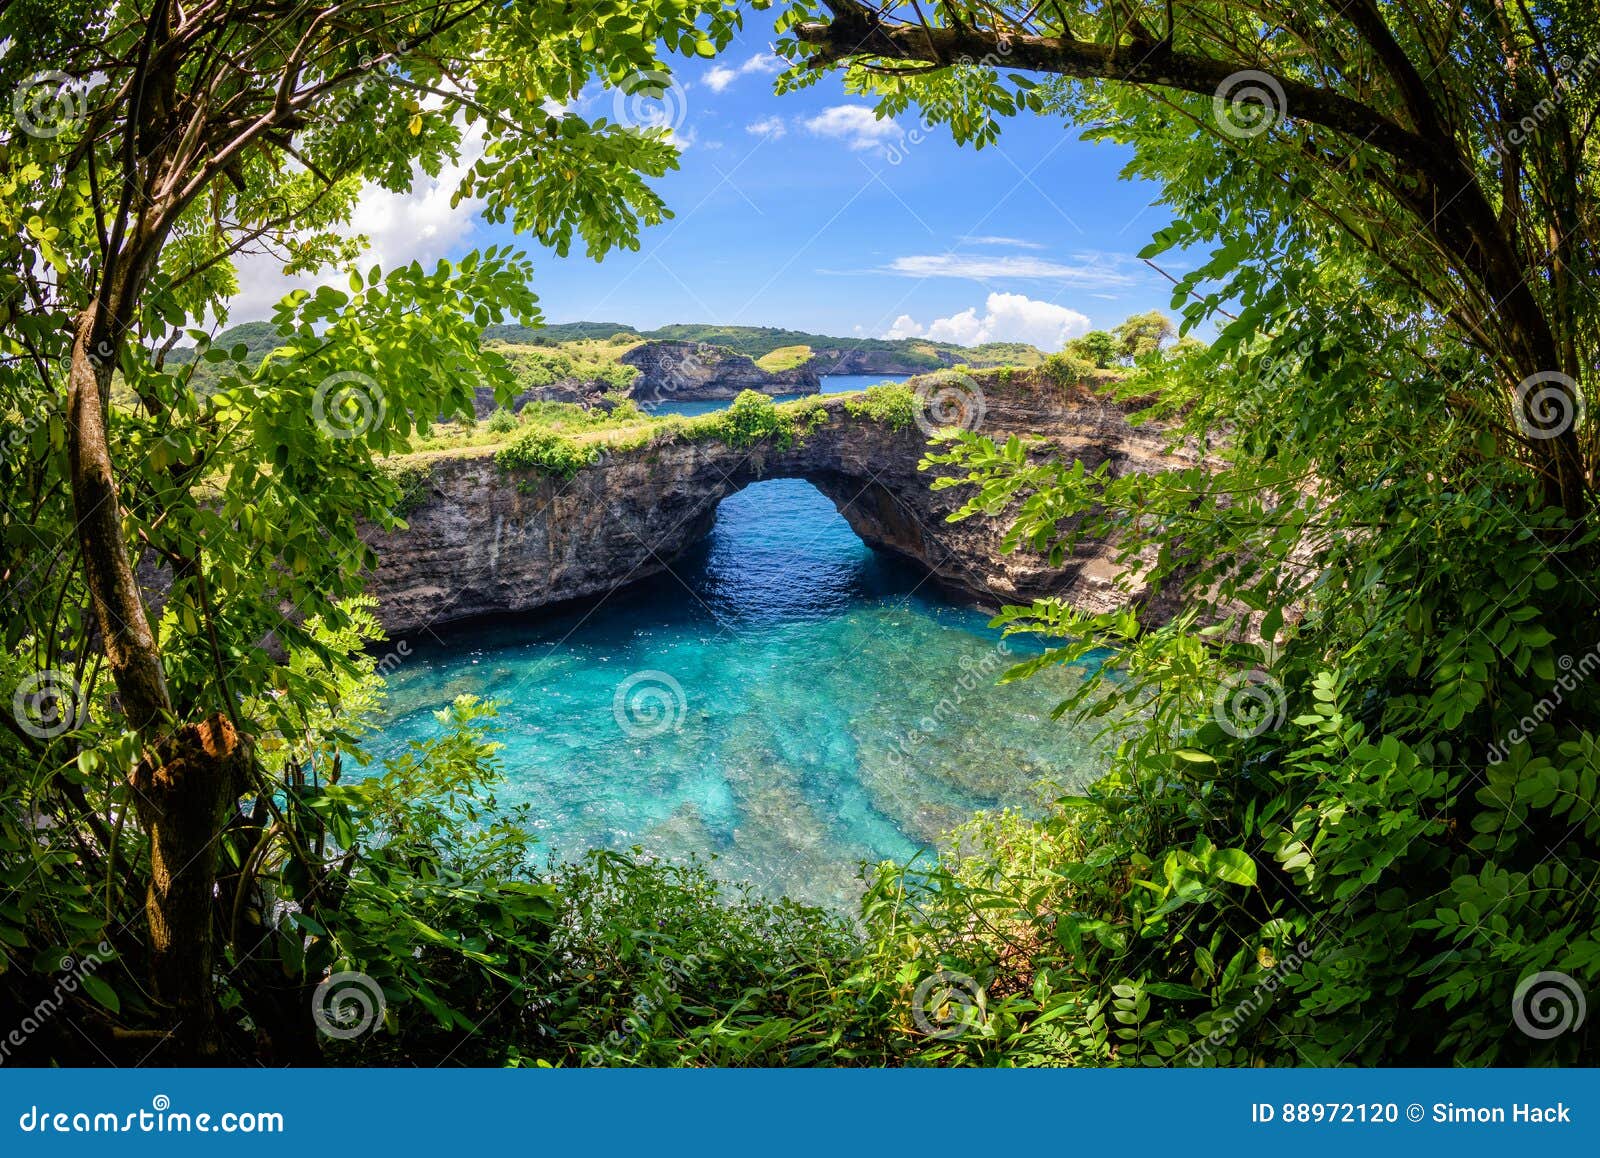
(401, 228)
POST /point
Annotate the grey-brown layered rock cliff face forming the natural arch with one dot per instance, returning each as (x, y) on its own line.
(484, 541)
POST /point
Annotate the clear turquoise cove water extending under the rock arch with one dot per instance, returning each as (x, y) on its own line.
(785, 701)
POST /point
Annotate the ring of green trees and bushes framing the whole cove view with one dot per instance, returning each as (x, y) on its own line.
(1399, 204)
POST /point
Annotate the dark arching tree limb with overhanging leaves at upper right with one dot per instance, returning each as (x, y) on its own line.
(1454, 148)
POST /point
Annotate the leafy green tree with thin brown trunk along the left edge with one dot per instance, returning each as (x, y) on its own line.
(148, 146)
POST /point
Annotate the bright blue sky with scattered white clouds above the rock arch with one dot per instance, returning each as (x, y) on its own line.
(802, 212)
